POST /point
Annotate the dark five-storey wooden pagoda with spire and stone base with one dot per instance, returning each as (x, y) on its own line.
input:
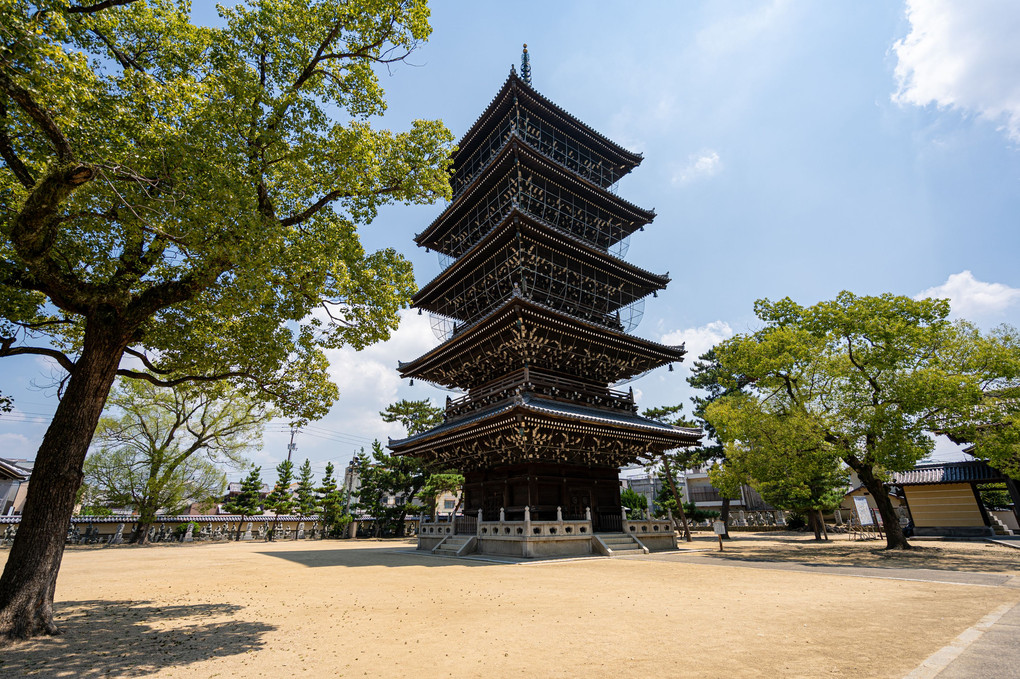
(535, 307)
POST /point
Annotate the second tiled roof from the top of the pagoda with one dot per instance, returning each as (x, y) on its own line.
(516, 150)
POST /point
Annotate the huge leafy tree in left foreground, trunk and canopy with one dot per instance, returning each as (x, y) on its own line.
(190, 196)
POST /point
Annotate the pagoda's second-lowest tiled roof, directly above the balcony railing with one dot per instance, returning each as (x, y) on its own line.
(666, 353)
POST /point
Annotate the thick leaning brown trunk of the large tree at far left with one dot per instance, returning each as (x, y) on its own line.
(30, 578)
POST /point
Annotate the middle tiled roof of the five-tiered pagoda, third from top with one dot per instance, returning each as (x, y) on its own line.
(518, 219)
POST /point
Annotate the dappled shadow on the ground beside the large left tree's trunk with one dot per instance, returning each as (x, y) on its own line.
(132, 640)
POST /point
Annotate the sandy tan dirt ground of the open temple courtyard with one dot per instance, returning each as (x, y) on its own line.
(354, 609)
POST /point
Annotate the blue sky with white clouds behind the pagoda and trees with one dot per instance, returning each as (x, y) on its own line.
(791, 149)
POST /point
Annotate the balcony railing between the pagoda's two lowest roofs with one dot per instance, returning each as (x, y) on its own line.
(544, 386)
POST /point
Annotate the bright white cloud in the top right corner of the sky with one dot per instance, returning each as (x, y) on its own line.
(963, 56)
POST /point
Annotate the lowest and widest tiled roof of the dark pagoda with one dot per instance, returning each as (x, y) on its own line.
(555, 410)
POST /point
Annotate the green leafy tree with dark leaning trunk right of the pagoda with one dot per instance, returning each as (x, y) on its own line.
(873, 378)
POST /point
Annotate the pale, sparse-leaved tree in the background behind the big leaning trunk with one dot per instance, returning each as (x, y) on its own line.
(163, 449)
